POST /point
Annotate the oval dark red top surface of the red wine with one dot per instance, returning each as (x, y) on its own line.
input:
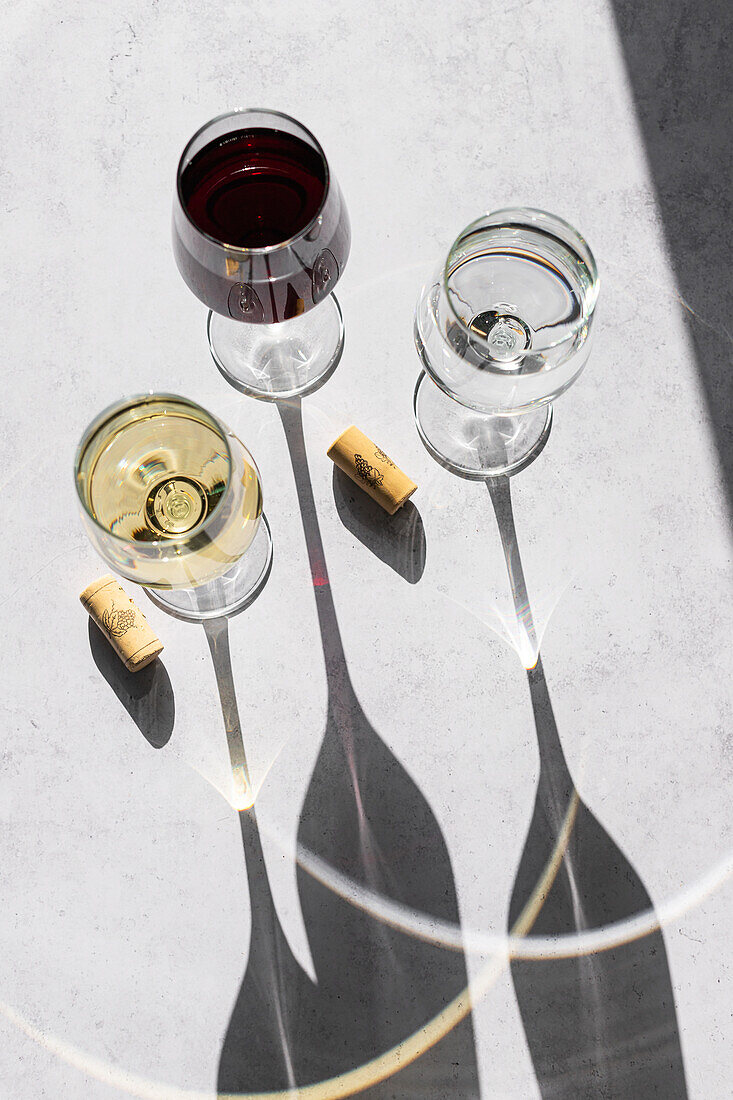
(255, 189)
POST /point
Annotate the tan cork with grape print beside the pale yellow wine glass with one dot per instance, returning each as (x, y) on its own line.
(122, 622)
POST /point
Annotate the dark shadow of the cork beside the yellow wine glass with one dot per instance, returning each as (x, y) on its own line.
(147, 696)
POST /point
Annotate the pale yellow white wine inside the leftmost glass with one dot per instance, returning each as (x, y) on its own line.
(152, 476)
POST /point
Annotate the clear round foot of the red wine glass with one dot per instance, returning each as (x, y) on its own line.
(275, 362)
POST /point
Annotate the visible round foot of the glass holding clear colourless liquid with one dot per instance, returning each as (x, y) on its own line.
(478, 445)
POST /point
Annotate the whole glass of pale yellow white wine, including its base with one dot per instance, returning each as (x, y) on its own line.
(172, 501)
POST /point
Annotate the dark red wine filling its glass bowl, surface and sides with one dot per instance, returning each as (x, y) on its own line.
(260, 190)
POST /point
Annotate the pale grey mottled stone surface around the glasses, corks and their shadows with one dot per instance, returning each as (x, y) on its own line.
(125, 921)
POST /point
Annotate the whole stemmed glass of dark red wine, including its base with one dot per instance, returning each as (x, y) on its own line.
(261, 235)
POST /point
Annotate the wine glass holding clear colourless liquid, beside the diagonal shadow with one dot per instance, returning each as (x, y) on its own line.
(504, 328)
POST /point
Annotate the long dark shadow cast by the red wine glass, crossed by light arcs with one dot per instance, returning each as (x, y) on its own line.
(365, 818)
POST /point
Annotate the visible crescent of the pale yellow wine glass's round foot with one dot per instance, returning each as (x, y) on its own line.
(228, 595)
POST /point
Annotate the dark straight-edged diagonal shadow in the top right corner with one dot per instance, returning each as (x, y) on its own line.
(679, 60)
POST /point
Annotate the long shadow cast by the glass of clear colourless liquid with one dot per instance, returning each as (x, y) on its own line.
(601, 1025)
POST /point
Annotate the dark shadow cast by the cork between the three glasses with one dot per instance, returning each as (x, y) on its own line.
(398, 541)
